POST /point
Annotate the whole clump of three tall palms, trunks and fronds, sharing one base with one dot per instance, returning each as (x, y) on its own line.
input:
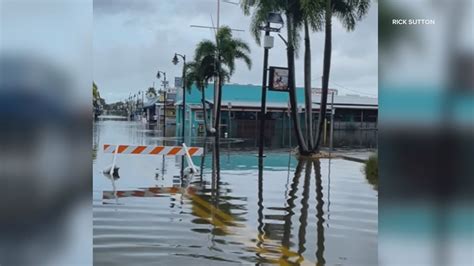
(307, 14)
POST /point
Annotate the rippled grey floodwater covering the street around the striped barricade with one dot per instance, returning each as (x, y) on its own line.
(237, 212)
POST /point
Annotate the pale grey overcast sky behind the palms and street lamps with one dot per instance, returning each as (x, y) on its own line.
(135, 38)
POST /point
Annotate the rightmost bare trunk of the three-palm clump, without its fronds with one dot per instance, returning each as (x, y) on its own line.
(326, 70)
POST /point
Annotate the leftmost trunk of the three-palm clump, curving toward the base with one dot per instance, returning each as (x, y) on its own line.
(303, 148)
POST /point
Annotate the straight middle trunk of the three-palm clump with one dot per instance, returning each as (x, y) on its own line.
(307, 87)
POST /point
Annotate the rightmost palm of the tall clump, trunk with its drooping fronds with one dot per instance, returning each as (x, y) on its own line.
(348, 12)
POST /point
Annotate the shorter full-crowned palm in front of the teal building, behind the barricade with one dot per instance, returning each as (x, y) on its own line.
(220, 56)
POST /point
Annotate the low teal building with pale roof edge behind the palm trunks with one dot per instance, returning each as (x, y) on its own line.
(241, 110)
